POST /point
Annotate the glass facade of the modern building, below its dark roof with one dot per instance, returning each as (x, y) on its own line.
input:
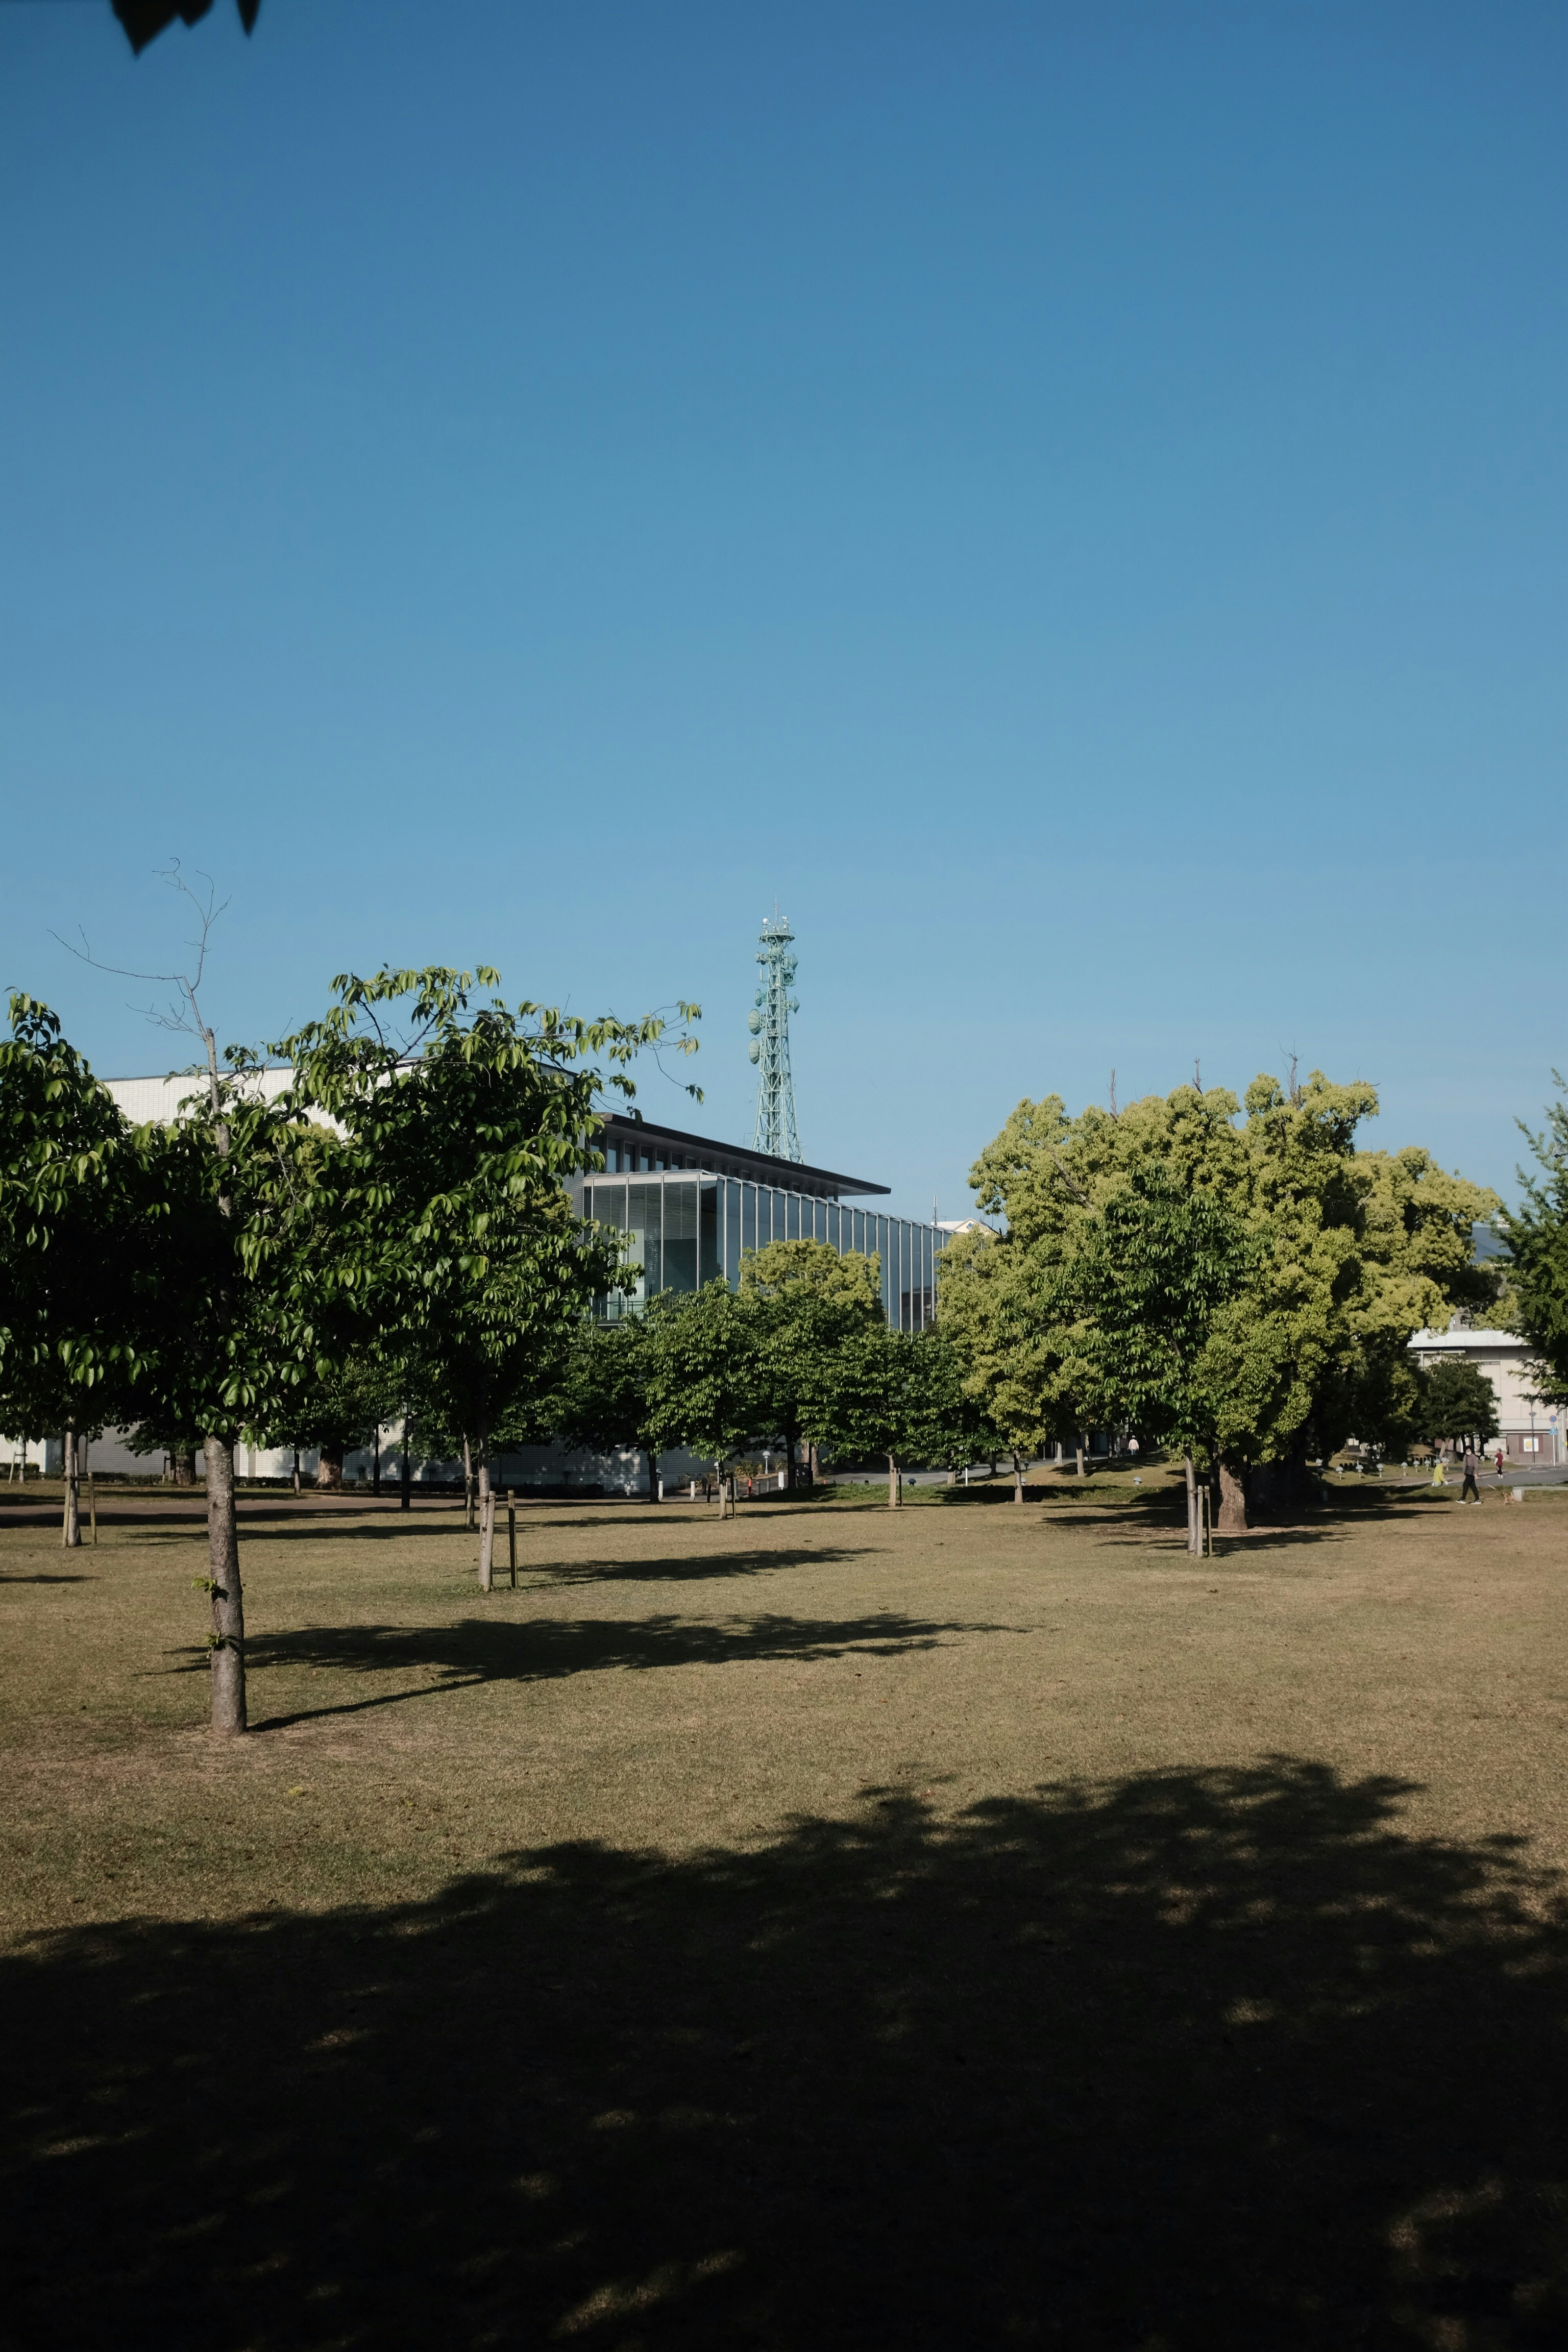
(683, 1229)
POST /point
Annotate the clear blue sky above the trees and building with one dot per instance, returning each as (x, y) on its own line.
(1068, 500)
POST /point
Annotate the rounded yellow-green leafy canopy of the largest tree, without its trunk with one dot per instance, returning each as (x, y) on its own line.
(1346, 1257)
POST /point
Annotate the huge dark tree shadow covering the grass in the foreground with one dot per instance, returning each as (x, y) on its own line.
(1186, 2064)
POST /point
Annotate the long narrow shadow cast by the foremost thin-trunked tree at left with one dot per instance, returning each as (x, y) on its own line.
(547, 1650)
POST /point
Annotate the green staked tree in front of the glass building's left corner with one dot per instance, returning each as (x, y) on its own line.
(448, 1222)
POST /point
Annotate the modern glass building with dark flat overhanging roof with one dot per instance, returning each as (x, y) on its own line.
(692, 1208)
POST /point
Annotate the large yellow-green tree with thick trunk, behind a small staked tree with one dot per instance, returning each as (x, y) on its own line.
(1355, 1252)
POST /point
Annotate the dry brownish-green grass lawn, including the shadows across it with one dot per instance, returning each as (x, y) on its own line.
(951, 1927)
